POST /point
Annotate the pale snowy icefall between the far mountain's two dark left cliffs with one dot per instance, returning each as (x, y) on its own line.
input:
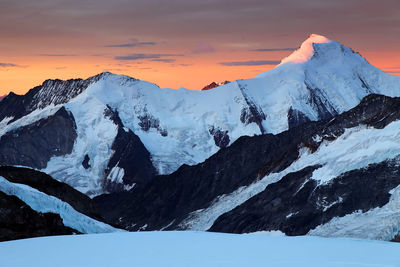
(96, 134)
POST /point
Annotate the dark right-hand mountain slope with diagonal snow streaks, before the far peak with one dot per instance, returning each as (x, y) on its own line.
(292, 182)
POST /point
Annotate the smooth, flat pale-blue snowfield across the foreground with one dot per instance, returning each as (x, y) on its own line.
(196, 249)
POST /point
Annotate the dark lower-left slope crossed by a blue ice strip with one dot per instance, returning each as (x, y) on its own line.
(33, 204)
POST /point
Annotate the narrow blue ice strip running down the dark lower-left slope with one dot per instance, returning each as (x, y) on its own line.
(42, 202)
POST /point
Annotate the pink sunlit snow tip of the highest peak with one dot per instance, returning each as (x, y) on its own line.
(306, 50)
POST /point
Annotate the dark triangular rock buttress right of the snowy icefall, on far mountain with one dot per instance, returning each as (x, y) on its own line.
(129, 154)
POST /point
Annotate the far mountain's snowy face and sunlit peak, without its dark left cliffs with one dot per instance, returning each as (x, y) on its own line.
(322, 78)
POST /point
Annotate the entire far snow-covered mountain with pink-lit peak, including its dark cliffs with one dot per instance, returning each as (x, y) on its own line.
(116, 133)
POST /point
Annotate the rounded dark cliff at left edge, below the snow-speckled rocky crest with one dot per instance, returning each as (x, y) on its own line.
(33, 145)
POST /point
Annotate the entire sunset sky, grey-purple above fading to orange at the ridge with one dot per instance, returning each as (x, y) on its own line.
(182, 43)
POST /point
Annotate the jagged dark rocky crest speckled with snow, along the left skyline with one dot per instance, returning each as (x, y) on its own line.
(50, 92)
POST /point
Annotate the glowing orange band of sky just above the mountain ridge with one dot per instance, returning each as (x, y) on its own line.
(194, 74)
